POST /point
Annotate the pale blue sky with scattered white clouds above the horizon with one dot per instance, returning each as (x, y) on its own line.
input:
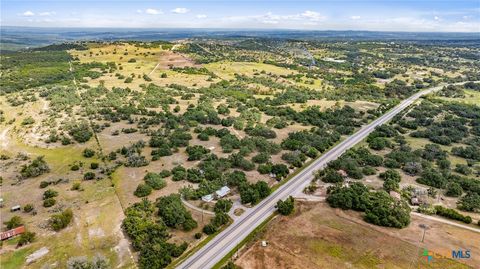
(379, 15)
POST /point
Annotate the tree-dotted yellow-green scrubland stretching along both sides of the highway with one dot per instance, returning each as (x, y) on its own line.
(134, 154)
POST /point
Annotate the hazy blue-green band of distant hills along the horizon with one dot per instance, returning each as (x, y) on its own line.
(15, 38)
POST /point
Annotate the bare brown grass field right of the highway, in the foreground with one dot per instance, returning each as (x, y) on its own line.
(331, 238)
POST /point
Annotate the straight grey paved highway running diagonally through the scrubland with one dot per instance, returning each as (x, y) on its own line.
(227, 240)
